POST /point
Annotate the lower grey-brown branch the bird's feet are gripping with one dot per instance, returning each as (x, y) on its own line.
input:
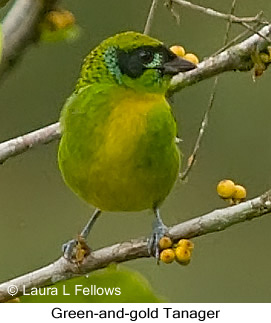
(62, 269)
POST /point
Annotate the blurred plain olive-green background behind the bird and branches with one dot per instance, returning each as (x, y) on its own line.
(39, 213)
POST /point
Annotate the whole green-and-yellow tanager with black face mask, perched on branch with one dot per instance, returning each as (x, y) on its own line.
(117, 151)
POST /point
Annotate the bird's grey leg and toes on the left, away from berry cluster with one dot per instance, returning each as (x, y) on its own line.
(69, 246)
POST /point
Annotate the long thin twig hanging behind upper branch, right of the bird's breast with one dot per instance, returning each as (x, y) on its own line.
(205, 121)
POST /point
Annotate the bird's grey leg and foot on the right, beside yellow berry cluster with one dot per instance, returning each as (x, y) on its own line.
(158, 231)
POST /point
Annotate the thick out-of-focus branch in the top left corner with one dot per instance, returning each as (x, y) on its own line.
(20, 29)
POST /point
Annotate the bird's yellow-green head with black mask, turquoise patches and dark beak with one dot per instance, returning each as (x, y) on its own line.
(135, 61)
